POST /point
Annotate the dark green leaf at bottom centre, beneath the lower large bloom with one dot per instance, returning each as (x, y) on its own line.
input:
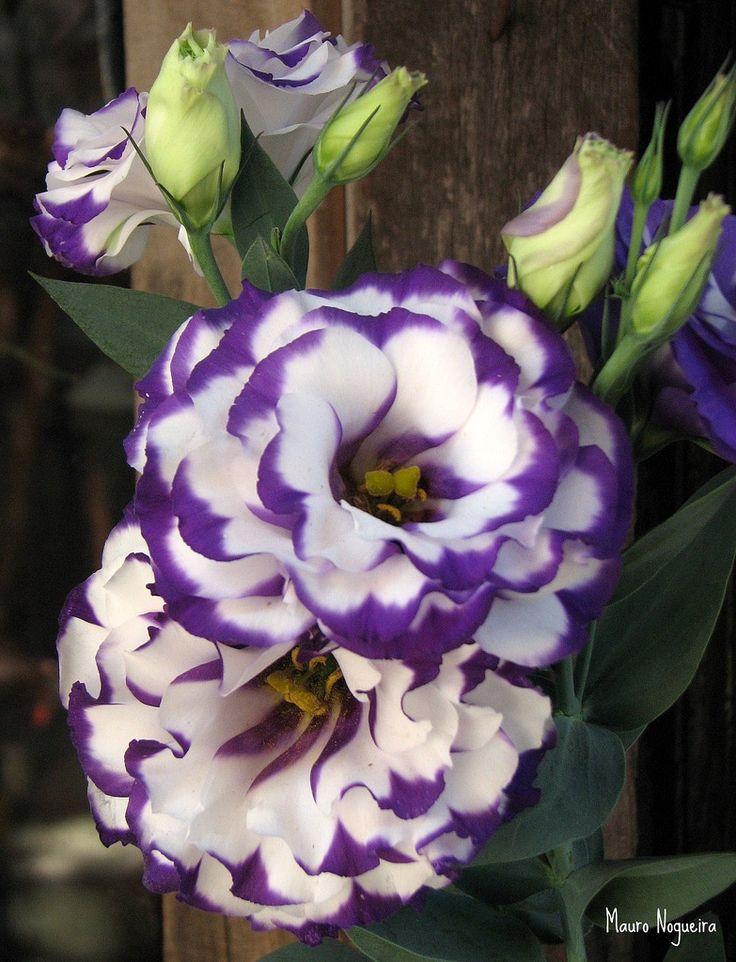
(451, 928)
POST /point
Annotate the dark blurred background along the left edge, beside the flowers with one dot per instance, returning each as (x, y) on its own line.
(64, 411)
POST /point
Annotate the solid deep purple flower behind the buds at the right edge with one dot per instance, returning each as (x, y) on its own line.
(693, 377)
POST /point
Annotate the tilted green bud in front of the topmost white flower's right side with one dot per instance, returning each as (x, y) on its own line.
(359, 135)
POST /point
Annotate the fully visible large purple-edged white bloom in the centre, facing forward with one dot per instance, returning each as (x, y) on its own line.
(409, 463)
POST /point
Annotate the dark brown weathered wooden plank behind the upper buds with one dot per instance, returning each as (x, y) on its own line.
(511, 86)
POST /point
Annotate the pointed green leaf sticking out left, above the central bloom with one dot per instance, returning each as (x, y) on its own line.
(130, 327)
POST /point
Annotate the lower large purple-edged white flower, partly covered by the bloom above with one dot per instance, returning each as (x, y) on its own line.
(302, 786)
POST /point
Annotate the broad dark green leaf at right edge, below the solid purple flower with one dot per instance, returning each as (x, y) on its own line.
(644, 655)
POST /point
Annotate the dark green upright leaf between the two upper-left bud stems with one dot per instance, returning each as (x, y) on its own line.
(261, 201)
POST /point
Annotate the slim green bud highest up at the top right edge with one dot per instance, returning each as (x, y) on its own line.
(703, 132)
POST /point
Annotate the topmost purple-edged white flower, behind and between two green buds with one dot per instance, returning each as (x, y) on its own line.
(289, 83)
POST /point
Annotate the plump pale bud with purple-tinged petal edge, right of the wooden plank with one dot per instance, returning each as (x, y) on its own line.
(561, 248)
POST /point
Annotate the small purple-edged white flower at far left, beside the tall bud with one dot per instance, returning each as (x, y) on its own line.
(100, 200)
